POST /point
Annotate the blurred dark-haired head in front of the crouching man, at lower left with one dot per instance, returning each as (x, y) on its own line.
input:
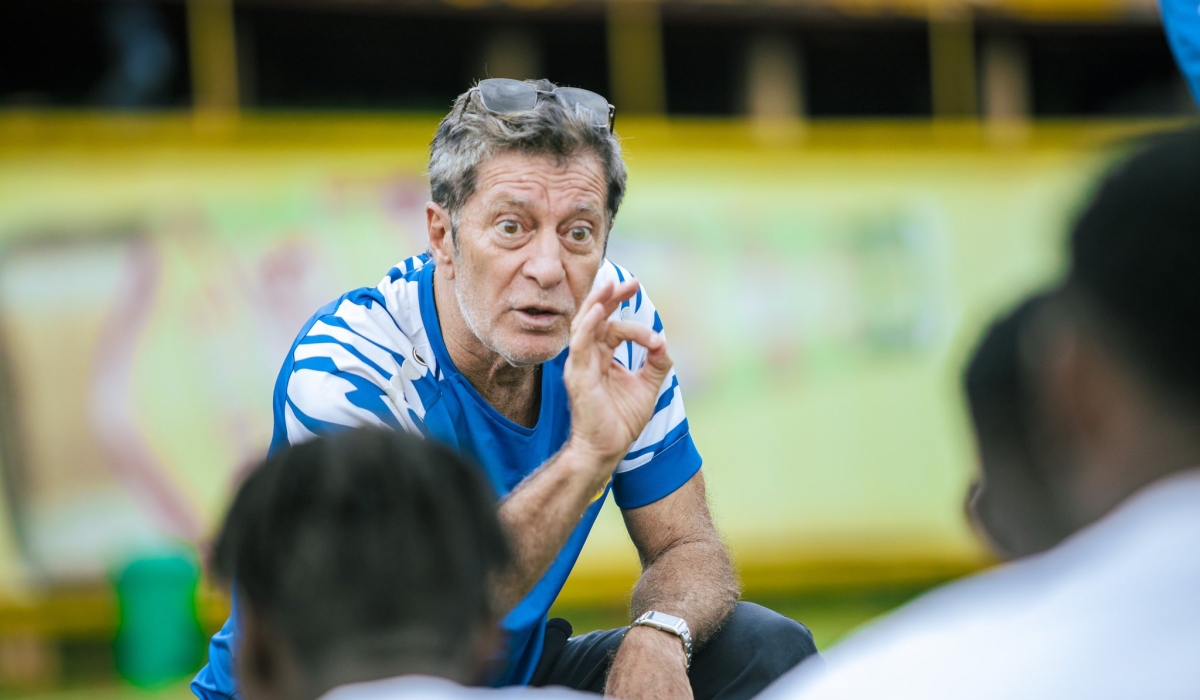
(357, 558)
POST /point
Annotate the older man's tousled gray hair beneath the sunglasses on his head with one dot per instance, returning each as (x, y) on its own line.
(471, 135)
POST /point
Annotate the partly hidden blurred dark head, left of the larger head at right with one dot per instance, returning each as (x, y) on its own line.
(1011, 504)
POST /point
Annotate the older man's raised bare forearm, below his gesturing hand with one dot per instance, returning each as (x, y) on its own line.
(541, 514)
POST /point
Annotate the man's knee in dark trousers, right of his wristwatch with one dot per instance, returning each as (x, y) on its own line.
(765, 637)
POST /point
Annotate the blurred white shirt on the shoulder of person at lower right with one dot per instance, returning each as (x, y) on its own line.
(1114, 612)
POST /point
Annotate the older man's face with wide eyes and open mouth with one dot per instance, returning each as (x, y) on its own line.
(530, 244)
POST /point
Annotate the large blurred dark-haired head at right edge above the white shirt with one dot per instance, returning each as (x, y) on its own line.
(1119, 348)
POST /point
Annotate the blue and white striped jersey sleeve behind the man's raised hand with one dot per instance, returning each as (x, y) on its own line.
(664, 456)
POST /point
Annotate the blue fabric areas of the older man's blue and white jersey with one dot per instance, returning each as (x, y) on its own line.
(457, 415)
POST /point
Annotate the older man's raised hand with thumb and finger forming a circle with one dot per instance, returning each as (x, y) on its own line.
(610, 404)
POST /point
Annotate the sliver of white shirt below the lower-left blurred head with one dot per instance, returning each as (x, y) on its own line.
(434, 689)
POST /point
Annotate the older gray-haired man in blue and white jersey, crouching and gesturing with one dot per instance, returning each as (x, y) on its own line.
(518, 343)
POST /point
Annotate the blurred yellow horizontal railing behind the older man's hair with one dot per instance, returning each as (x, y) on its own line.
(26, 131)
